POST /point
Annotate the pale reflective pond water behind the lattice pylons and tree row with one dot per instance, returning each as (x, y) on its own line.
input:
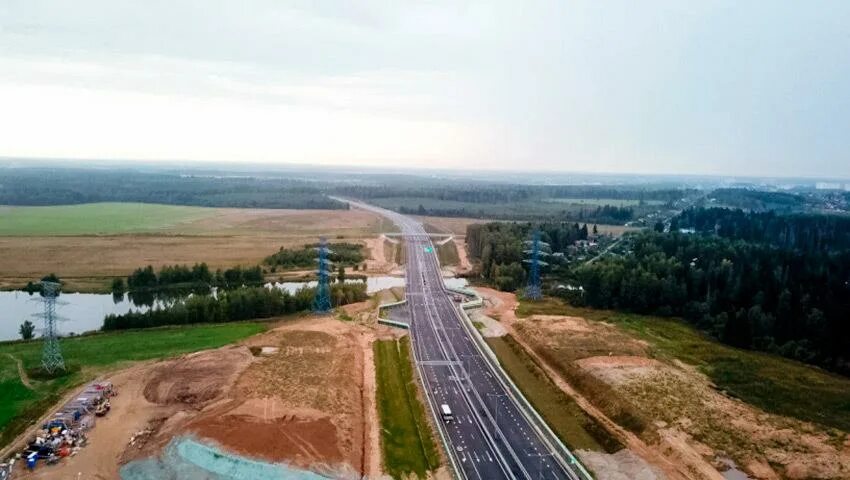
(83, 312)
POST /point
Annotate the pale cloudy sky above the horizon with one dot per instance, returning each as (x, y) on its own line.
(708, 87)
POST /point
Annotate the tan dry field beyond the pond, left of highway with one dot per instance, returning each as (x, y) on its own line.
(221, 237)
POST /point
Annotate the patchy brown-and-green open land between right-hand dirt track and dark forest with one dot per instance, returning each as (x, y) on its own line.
(691, 400)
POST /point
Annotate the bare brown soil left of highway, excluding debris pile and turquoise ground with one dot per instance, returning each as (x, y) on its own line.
(310, 403)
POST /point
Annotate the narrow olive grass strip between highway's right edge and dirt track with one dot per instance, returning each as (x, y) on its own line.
(578, 430)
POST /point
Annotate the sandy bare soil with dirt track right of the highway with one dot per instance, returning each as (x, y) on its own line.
(694, 426)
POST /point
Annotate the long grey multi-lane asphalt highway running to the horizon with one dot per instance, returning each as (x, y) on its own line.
(491, 436)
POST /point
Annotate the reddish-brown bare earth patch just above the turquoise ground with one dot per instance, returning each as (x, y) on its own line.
(302, 442)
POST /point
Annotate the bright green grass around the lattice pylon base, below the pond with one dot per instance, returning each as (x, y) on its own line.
(20, 406)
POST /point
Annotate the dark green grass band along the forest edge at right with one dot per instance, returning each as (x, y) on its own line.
(774, 384)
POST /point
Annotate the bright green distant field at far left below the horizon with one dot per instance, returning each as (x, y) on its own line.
(96, 218)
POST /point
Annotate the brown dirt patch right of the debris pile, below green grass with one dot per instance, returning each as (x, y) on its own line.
(195, 379)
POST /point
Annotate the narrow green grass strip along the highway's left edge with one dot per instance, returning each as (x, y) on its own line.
(407, 441)
